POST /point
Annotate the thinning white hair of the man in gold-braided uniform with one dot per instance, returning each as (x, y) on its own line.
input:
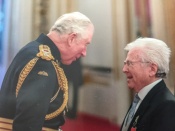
(74, 22)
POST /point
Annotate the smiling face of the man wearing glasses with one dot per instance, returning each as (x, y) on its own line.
(137, 71)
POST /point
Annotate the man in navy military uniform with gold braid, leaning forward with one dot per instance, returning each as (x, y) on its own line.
(34, 92)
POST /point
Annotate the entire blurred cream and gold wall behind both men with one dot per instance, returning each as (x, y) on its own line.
(117, 22)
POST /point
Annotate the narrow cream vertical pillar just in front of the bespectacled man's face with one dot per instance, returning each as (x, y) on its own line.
(120, 39)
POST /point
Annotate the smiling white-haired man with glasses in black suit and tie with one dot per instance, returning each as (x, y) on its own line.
(146, 64)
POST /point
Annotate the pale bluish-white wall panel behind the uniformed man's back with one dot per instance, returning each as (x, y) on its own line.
(20, 27)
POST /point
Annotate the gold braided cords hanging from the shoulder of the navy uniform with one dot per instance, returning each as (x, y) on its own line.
(62, 81)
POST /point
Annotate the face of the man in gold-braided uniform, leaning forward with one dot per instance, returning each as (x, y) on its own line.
(77, 47)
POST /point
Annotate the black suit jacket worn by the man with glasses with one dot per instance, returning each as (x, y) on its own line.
(156, 112)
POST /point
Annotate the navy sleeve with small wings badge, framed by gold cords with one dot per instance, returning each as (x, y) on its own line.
(34, 97)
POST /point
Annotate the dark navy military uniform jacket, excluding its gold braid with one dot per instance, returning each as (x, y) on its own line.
(29, 108)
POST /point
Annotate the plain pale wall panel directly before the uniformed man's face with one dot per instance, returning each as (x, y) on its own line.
(100, 51)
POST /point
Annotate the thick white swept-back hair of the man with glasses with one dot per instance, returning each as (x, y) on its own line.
(153, 51)
